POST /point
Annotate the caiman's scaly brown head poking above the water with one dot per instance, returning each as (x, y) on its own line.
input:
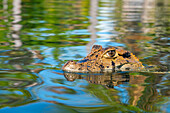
(109, 59)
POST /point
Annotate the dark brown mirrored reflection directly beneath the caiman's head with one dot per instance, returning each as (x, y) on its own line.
(108, 80)
